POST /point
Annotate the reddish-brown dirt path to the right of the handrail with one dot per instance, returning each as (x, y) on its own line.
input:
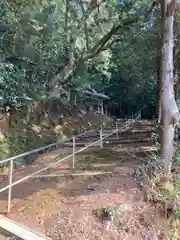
(68, 208)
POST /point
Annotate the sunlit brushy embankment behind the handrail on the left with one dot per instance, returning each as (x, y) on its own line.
(39, 124)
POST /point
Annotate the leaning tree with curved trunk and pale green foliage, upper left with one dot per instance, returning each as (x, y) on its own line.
(47, 42)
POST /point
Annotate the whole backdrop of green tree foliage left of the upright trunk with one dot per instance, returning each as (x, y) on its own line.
(44, 42)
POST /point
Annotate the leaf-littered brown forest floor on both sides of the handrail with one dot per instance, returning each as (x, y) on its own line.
(109, 206)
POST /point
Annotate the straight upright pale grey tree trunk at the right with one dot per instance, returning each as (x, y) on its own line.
(170, 113)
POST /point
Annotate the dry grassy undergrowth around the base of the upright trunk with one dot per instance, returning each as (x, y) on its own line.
(164, 192)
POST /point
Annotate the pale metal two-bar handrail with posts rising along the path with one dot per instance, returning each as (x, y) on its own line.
(12, 159)
